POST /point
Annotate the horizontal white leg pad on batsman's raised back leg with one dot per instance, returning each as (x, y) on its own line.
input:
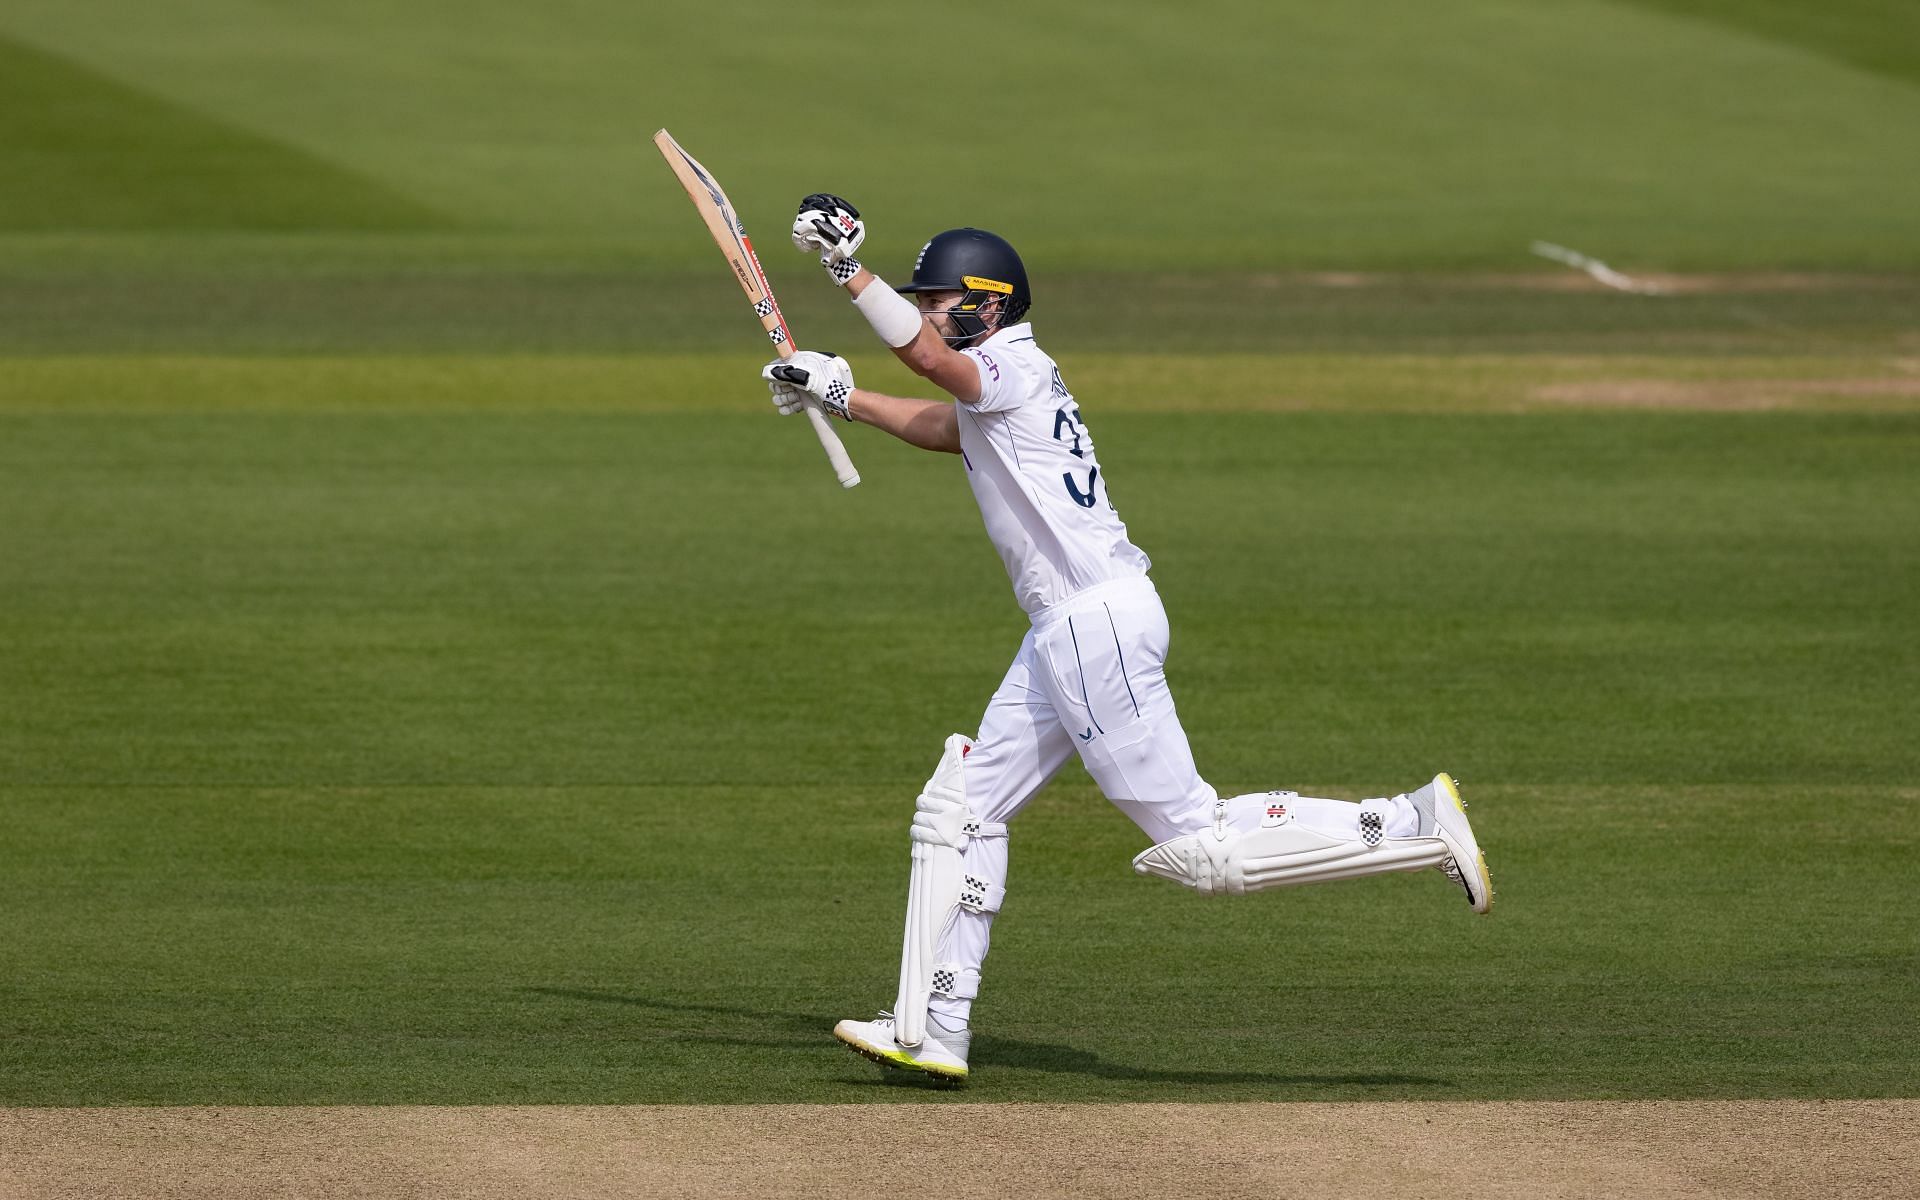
(1282, 853)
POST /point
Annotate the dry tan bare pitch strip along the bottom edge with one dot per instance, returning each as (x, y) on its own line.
(1537, 1151)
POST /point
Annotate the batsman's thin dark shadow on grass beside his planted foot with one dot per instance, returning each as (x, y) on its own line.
(805, 1032)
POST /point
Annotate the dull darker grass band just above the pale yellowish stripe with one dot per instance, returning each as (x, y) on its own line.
(324, 295)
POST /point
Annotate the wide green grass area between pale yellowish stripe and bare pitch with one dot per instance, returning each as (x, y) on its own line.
(452, 752)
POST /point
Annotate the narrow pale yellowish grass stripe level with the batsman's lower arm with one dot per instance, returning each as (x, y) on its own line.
(1107, 383)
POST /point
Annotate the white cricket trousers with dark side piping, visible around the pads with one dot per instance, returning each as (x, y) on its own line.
(1090, 679)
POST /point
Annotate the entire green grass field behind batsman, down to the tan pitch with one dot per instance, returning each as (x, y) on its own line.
(429, 673)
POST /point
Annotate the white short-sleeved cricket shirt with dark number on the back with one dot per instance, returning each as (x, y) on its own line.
(1040, 487)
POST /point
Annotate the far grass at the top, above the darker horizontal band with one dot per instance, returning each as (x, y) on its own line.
(1214, 135)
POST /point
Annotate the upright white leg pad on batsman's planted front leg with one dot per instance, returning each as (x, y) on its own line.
(938, 892)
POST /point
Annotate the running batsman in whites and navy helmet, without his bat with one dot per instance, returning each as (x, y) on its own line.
(1090, 675)
